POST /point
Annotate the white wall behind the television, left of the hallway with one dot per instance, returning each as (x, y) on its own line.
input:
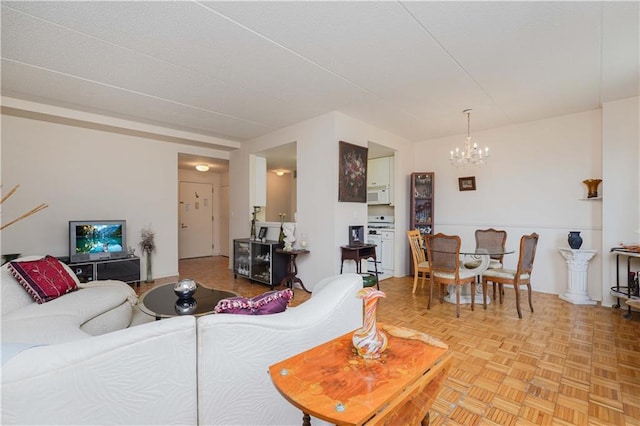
(83, 173)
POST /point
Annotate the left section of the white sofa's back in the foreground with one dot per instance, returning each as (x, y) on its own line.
(140, 375)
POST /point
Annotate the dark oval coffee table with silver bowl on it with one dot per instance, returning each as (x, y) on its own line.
(161, 302)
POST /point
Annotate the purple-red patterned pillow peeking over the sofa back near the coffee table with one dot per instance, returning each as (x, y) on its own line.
(270, 302)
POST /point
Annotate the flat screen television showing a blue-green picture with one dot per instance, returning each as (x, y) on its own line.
(91, 240)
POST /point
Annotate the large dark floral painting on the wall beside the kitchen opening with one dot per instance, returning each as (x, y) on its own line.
(352, 179)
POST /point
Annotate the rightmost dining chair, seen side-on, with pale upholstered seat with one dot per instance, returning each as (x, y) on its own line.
(518, 277)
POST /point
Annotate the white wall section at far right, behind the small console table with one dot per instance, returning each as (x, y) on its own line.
(621, 182)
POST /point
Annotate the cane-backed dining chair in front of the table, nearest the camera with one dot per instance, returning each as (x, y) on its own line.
(443, 252)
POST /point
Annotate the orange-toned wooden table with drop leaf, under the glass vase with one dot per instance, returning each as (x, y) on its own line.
(333, 383)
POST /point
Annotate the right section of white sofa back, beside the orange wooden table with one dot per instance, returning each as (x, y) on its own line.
(235, 352)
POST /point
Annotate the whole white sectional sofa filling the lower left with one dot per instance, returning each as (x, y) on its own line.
(174, 371)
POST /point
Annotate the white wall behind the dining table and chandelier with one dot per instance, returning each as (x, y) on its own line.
(531, 183)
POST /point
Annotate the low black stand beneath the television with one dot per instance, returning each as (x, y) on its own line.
(126, 269)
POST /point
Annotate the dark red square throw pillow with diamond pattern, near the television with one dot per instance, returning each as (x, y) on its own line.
(44, 279)
